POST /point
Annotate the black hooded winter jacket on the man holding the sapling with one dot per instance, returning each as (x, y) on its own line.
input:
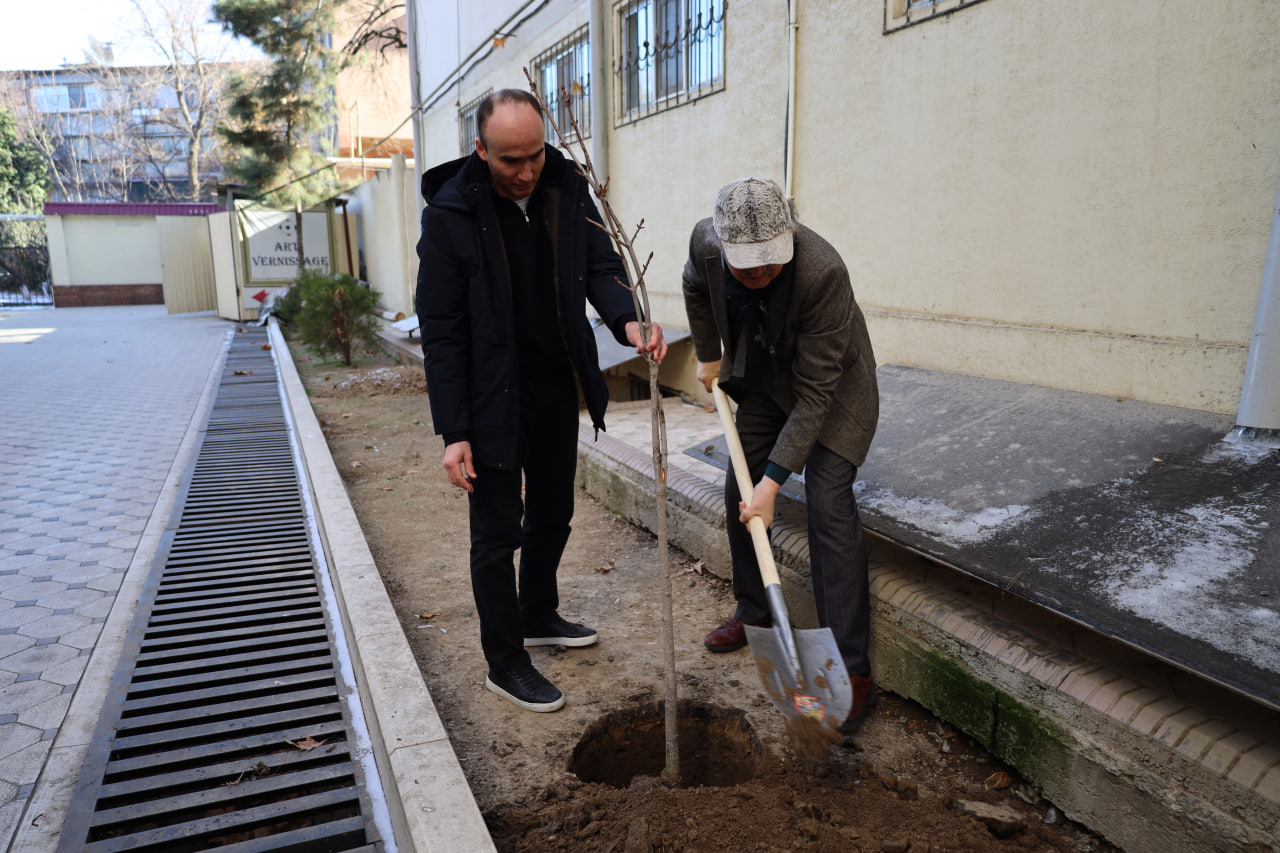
(465, 305)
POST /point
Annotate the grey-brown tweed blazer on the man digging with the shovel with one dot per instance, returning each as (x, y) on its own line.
(828, 371)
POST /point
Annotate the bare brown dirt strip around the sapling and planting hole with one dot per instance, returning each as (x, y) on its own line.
(900, 788)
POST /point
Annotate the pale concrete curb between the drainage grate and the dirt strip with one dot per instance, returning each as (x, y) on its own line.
(429, 797)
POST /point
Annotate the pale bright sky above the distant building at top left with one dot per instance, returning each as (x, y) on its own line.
(43, 34)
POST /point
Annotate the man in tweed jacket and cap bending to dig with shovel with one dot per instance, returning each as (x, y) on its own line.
(774, 321)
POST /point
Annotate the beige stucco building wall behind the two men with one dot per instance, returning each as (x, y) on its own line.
(1072, 195)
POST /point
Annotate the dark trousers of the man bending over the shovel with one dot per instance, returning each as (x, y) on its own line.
(838, 555)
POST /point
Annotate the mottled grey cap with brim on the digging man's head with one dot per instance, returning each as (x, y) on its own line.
(753, 221)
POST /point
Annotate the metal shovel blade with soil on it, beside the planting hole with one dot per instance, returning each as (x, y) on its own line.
(820, 690)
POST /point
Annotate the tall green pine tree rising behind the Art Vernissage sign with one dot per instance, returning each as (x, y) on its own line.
(280, 120)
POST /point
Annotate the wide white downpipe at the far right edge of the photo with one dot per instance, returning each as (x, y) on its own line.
(1260, 398)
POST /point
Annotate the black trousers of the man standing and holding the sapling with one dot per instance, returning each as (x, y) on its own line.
(538, 523)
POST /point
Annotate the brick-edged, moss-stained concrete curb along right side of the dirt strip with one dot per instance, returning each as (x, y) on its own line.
(1153, 759)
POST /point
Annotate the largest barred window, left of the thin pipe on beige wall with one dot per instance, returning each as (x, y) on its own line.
(670, 53)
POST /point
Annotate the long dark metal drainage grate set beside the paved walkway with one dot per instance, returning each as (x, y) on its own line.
(228, 677)
